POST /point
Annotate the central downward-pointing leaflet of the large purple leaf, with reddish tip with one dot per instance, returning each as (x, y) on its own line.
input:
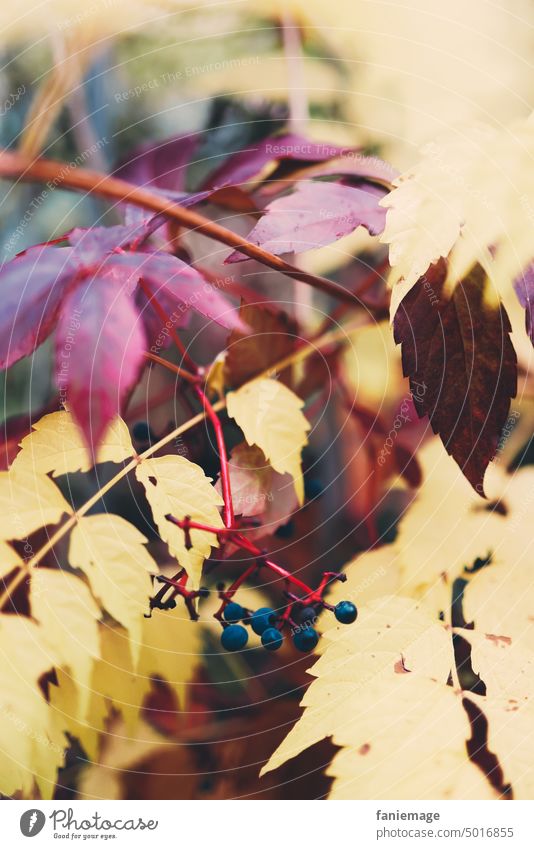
(100, 341)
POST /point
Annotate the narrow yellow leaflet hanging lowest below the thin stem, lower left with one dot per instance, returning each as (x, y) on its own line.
(64, 606)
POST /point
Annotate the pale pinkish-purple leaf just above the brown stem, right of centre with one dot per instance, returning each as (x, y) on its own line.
(316, 214)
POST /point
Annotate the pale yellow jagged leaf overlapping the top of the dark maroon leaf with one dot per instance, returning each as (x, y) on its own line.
(468, 194)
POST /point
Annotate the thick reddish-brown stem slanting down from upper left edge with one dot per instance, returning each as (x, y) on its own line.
(54, 173)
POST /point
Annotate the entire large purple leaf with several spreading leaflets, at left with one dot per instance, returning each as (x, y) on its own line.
(89, 291)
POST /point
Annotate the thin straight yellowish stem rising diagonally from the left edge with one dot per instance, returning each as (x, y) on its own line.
(297, 356)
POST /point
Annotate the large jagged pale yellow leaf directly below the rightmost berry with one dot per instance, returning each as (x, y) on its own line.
(393, 655)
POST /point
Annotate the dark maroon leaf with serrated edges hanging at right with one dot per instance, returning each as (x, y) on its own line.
(458, 355)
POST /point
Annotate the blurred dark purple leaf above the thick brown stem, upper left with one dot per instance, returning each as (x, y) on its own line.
(161, 164)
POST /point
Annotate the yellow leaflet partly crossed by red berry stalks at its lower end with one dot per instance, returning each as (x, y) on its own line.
(175, 486)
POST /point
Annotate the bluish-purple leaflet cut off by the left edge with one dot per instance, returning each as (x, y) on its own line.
(32, 287)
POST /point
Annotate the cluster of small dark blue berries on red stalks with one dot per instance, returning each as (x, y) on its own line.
(268, 624)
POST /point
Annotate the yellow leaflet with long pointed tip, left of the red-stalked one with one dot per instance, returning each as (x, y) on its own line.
(112, 554)
